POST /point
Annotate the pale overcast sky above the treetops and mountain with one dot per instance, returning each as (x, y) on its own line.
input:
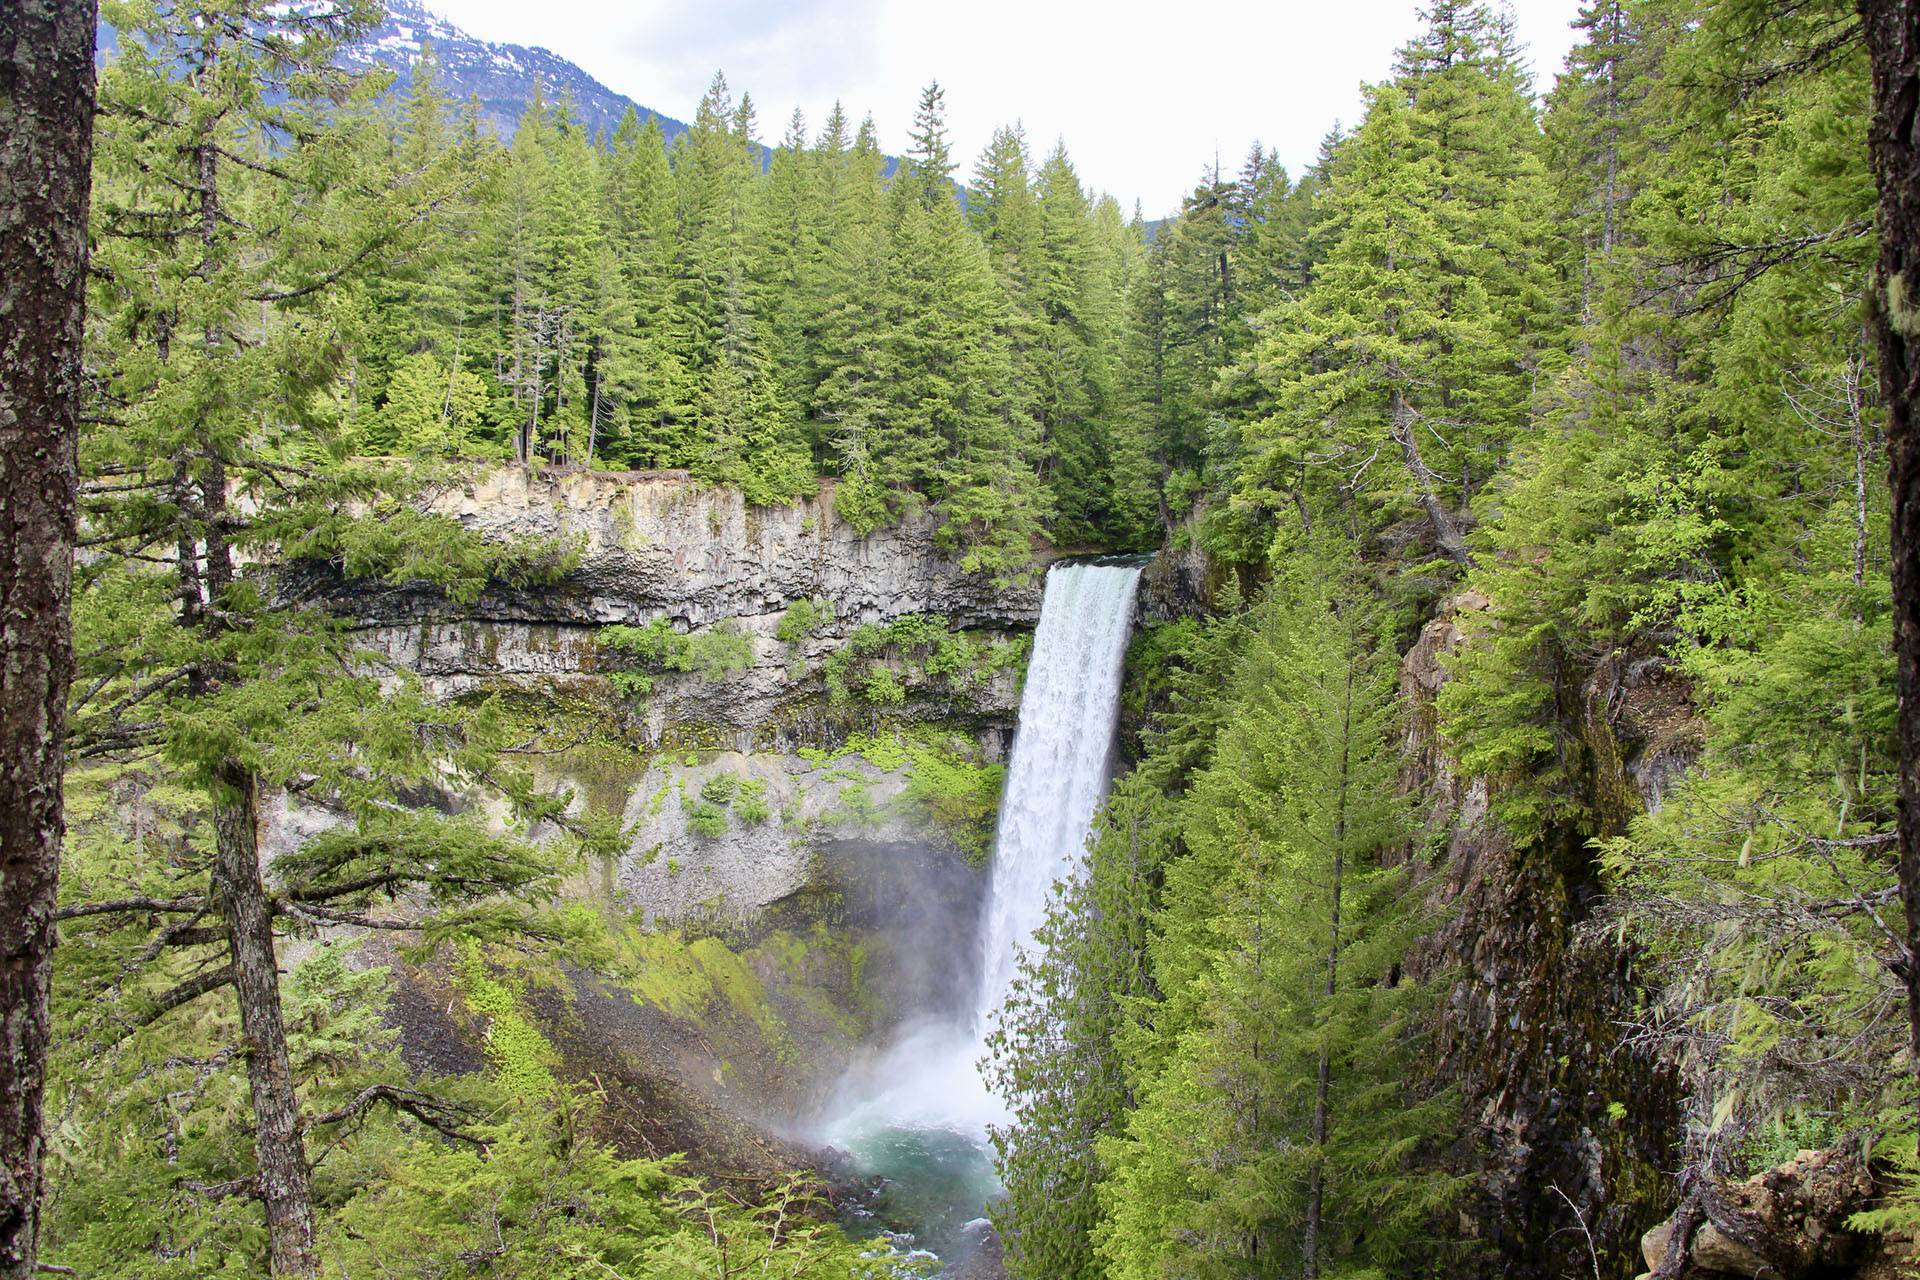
(1141, 95)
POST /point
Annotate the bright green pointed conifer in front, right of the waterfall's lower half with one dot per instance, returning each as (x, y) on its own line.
(1280, 1131)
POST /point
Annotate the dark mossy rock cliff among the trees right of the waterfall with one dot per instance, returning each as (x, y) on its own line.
(1573, 1131)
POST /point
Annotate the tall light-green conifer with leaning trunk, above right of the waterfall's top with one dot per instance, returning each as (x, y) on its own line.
(1408, 367)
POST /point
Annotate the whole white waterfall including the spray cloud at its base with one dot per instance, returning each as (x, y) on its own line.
(1057, 776)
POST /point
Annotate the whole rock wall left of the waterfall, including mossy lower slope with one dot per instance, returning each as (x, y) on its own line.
(792, 880)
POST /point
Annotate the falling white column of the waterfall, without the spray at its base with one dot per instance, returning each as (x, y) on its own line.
(1061, 761)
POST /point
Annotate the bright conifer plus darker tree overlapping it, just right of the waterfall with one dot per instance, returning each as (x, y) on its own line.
(1228, 970)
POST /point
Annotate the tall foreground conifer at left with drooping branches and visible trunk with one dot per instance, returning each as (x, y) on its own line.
(228, 224)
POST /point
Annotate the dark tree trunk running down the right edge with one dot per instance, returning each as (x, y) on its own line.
(1894, 47)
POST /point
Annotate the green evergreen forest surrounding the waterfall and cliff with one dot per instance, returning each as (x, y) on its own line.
(1504, 859)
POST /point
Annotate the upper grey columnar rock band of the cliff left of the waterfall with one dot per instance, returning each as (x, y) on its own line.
(661, 548)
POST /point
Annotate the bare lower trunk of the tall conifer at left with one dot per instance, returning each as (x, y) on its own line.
(279, 1149)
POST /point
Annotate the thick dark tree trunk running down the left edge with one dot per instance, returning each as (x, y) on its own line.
(47, 112)
